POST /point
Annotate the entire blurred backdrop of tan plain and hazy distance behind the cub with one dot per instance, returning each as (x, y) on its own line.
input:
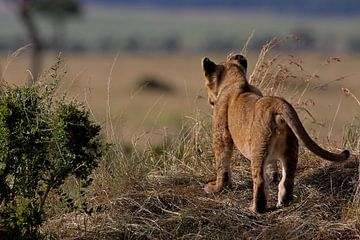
(138, 61)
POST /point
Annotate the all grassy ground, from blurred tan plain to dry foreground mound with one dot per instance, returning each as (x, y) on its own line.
(154, 112)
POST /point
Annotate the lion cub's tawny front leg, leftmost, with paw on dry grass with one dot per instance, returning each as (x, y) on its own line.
(223, 147)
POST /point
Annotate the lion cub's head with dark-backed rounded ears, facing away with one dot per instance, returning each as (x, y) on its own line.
(219, 75)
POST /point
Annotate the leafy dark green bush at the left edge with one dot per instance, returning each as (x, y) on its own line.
(43, 141)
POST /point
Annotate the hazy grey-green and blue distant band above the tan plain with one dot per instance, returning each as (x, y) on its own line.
(168, 26)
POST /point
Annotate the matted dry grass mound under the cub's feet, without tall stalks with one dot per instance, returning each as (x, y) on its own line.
(158, 195)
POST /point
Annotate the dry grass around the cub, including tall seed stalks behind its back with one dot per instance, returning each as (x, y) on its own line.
(156, 193)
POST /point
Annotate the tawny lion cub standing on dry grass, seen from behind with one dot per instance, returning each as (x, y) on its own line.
(264, 129)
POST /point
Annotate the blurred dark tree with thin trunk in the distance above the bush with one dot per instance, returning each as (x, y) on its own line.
(57, 10)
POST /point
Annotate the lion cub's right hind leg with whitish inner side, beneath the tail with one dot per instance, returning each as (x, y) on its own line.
(288, 162)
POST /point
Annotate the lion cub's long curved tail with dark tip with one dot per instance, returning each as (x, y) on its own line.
(290, 116)
